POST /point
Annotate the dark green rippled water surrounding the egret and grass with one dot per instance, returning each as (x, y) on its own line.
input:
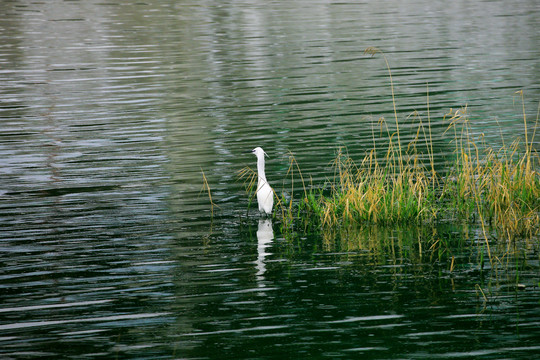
(109, 111)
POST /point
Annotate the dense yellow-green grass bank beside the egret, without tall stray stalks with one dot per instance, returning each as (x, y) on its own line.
(496, 188)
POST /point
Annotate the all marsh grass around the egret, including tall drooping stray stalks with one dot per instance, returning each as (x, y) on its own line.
(497, 188)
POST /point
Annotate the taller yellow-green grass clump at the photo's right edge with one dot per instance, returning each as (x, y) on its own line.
(500, 187)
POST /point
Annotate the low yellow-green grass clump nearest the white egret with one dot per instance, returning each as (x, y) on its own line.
(377, 193)
